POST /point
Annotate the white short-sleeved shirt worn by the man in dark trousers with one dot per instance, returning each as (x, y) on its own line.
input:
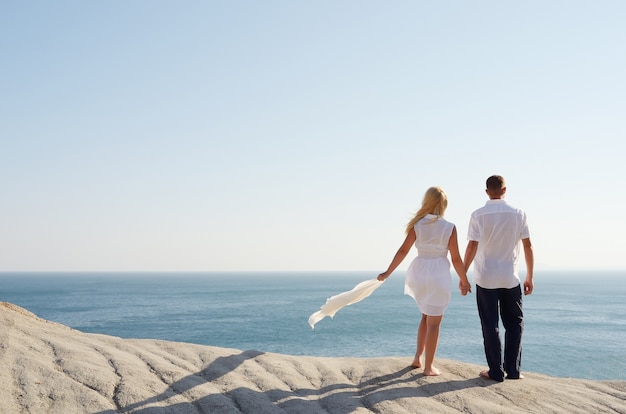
(498, 228)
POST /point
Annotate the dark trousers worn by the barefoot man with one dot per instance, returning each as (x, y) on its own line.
(508, 303)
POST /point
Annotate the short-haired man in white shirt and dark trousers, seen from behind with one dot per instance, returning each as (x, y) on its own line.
(494, 236)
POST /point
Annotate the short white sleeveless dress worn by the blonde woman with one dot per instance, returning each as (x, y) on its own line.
(428, 278)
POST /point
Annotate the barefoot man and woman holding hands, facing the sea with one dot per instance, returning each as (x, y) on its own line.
(495, 232)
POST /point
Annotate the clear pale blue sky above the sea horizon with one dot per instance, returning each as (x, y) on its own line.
(284, 135)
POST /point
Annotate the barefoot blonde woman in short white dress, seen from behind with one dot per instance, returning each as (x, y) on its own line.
(428, 278)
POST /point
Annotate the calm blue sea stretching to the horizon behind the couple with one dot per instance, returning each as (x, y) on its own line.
(575, 322)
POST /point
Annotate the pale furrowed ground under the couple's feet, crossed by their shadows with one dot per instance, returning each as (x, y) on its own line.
(46, 367)
